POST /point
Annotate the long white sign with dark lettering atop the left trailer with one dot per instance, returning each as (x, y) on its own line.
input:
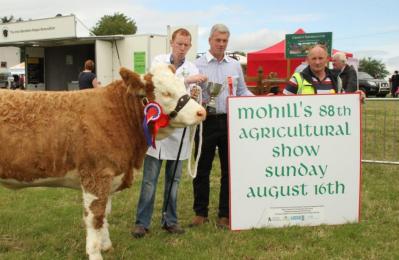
(51, 28)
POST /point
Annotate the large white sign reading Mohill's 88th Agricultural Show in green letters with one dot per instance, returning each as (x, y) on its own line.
(294, 160)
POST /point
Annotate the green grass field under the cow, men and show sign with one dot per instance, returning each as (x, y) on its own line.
(45, 223)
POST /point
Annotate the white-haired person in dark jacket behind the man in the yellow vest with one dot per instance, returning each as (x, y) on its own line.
(345, 72)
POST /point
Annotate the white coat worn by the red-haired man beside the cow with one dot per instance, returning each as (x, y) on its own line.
(167, 149)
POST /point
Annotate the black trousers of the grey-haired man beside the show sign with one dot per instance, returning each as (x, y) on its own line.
(214, 135)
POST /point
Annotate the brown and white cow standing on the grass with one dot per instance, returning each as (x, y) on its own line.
(91, 140)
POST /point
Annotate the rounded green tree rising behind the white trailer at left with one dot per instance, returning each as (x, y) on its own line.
(115, 24)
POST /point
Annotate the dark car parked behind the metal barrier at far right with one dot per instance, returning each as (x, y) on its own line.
(371, 86)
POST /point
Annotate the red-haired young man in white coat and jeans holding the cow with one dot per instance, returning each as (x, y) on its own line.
(167, 149)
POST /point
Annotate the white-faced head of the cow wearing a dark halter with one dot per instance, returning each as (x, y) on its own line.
(164, 87)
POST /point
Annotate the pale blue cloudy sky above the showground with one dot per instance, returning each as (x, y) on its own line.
(365, 28)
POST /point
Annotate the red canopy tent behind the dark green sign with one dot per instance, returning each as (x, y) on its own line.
(272, 59)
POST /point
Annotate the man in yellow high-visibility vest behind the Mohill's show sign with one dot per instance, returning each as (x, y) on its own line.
(316, 78)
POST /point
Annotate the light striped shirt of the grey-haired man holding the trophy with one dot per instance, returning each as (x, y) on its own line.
(218, 72)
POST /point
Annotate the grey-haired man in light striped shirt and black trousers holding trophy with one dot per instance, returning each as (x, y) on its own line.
(224, 70)
